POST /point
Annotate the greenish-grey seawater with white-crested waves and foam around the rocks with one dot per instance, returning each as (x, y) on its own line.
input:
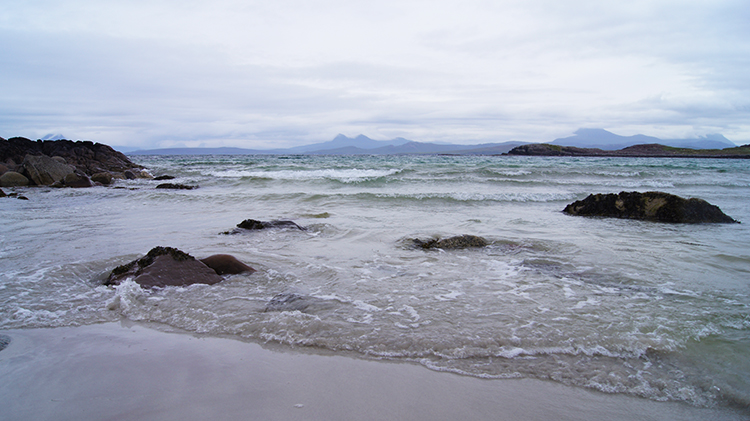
(656, 310)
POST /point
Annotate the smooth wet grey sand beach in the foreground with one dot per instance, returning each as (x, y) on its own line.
(130, 371)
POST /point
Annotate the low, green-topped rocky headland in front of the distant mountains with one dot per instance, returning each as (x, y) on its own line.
(637, 151)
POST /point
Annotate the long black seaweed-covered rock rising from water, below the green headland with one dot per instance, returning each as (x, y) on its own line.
(649, 206)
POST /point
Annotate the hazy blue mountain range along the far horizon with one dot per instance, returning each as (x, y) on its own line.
(363, 145)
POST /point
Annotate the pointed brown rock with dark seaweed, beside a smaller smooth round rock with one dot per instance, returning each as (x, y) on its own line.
(165, 266)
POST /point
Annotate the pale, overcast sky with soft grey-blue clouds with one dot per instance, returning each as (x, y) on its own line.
(282, 73)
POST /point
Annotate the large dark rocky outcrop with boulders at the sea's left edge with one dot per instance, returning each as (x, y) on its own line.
(63, 163)
